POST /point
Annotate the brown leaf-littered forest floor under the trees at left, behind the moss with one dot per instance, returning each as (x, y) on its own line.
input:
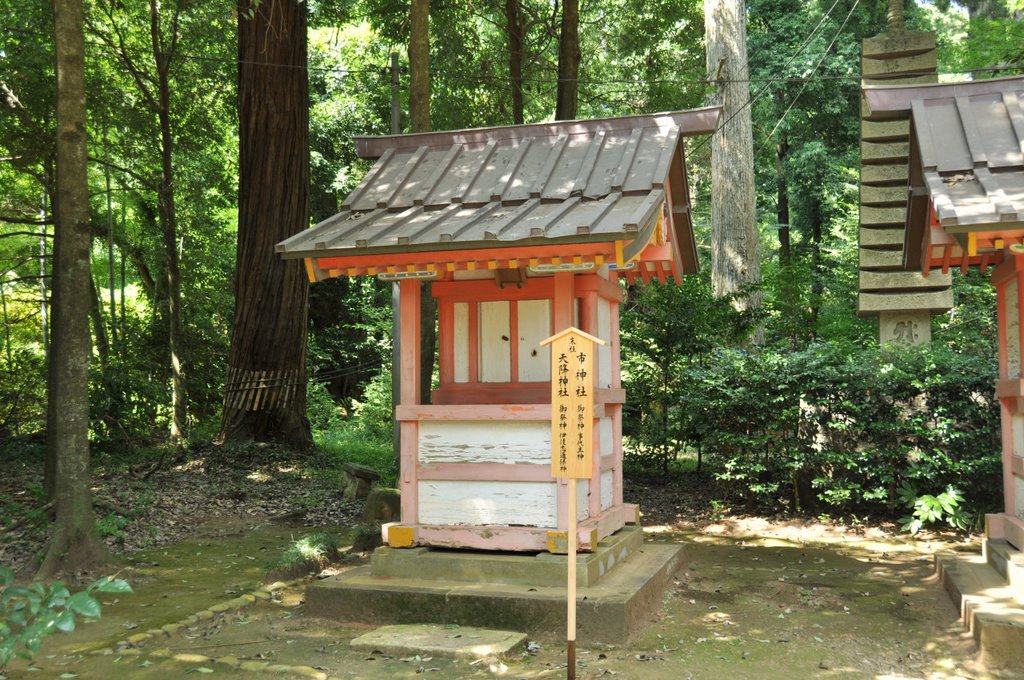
(138, 511)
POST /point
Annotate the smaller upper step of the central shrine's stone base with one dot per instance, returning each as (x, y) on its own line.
(493, 568)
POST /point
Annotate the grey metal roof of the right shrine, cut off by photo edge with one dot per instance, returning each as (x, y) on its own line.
(967, 157)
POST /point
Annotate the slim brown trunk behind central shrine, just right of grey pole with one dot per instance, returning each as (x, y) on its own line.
(419, 114)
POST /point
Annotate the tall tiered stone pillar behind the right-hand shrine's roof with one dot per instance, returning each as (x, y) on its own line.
(904, 302)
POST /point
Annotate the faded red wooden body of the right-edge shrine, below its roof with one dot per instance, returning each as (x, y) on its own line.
(1009, 280)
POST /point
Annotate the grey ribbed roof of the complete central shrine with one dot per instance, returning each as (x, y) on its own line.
(544, 184)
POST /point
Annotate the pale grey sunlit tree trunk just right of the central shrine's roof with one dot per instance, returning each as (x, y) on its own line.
(736, 257)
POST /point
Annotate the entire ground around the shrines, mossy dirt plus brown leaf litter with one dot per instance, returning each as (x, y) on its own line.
(760, 598)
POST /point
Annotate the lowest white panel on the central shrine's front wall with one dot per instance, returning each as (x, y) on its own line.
(524, 503)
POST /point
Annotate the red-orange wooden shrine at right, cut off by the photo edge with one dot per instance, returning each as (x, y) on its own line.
(967, 209)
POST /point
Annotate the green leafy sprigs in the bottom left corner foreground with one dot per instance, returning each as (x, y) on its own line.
(29, 614)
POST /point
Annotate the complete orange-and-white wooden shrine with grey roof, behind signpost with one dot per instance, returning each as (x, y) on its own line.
(524, 232)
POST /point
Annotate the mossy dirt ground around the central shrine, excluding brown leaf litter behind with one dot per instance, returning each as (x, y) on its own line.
(756, 600)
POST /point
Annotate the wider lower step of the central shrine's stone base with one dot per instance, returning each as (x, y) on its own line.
(609, 612)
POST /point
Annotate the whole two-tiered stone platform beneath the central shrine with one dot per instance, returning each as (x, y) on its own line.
(620, 585)
